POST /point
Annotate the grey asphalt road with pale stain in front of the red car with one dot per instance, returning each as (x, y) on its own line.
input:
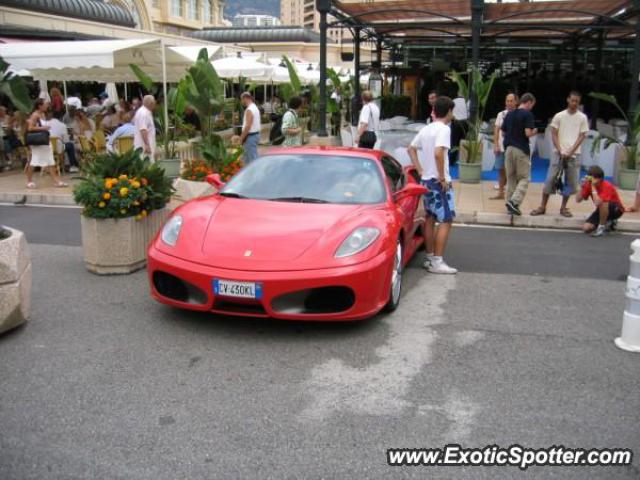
(517, 348)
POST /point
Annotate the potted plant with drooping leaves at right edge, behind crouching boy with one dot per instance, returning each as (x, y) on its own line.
(627, 153)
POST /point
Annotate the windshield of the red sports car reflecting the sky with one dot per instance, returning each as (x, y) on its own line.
(309, 178)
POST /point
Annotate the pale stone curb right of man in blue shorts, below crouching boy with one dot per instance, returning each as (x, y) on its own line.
(540, 221)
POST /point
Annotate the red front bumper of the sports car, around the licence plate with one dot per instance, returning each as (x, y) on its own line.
(369, 281)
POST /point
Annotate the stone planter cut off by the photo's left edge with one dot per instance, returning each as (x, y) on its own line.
(15, 279)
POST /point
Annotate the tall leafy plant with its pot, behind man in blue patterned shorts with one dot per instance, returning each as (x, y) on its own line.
(471, 147)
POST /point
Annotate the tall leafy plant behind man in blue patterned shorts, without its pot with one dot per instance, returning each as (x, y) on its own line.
(481, 88)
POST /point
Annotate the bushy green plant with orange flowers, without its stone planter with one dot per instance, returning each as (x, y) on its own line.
(122, 185)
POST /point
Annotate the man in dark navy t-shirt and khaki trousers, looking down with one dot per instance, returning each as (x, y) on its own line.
(518, 127)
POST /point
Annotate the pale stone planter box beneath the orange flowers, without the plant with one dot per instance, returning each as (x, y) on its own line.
(117, 246)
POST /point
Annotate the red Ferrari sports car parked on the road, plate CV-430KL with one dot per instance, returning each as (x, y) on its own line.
(316, 233)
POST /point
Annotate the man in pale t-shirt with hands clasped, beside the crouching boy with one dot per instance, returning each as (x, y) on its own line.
(569, 128)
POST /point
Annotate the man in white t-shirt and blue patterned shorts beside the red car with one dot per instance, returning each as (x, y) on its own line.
(434, 142)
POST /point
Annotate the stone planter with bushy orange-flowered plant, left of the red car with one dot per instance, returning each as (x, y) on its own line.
(124, 200)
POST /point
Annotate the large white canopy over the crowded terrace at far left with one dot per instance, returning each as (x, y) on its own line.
(100, 60)
